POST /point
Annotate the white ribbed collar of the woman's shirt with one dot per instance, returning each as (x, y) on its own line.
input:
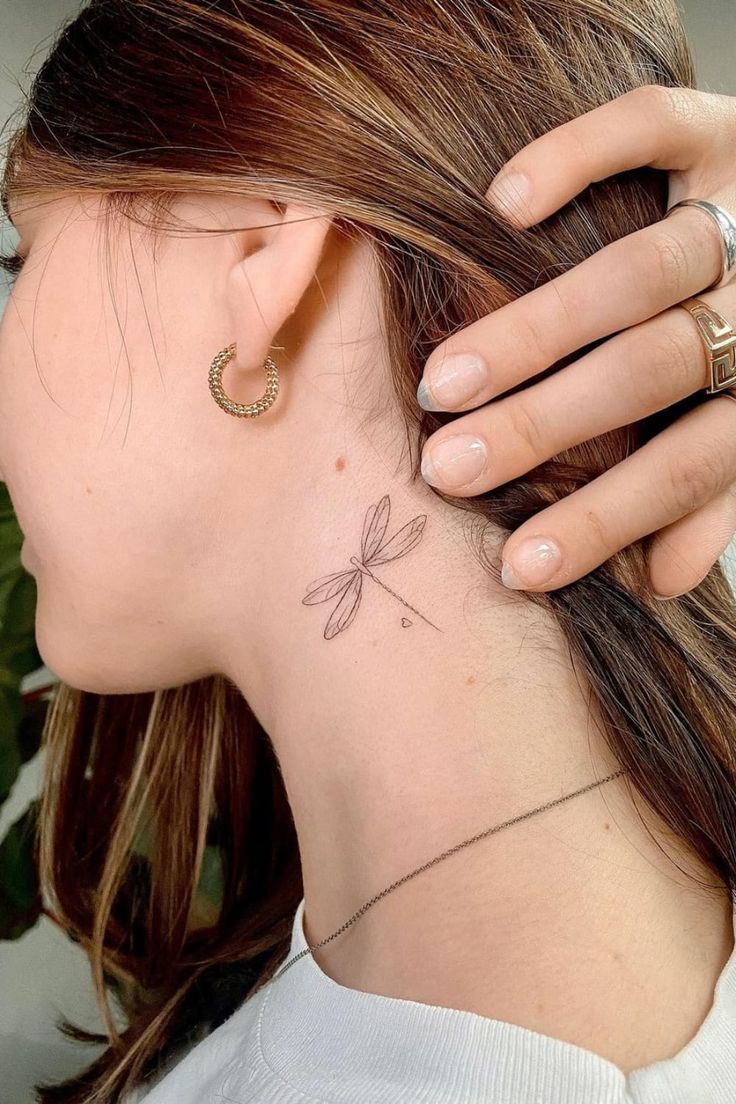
(358, 1046)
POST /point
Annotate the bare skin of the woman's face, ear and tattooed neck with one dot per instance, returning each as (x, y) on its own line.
(170, 542)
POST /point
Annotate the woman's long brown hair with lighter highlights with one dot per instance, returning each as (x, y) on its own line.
(302, 101)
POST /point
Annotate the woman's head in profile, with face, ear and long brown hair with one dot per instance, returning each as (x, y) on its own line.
(342, 154)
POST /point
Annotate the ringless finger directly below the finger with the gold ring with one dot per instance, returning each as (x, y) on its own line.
(671, 476)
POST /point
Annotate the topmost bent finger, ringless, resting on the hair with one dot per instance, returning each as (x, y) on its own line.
(667, 129)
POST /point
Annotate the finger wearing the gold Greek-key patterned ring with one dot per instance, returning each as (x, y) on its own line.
(628, 378)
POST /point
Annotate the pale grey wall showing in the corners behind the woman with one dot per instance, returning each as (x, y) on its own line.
(44, 974)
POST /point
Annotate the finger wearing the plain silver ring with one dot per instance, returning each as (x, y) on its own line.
(643, 274)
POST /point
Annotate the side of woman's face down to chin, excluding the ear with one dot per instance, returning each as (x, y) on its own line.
(120, 464)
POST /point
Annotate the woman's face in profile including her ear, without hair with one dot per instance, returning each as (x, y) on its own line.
(146, 509)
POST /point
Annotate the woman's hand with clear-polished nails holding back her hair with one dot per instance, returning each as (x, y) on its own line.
(681, 485)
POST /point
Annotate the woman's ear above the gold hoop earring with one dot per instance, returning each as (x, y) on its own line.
(268, 284)
